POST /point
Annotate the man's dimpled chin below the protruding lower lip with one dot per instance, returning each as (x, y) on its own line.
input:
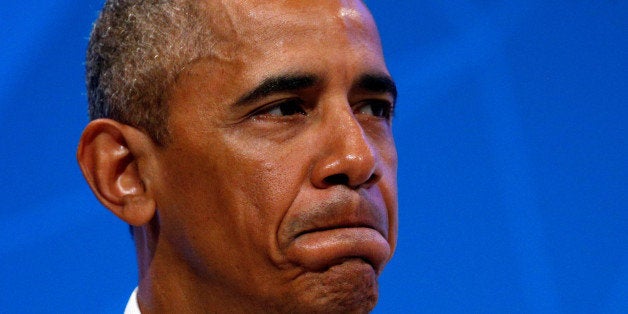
(349, 287)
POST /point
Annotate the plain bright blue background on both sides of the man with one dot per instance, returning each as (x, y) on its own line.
(511, 130)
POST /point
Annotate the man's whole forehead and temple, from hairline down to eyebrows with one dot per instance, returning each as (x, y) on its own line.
(254, 40)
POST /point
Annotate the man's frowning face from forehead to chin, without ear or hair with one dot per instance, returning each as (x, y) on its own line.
(279, 185)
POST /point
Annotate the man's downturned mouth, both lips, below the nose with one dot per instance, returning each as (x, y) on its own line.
(333, 234)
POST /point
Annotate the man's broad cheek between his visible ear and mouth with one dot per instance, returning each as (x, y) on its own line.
(221, 212)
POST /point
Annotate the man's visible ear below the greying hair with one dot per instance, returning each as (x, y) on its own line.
(110, 155)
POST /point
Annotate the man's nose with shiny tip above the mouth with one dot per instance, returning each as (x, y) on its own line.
(347, 156)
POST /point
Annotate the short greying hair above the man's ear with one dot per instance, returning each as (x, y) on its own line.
(135, 52)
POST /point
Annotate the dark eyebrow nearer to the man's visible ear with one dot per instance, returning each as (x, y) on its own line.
(278, 84)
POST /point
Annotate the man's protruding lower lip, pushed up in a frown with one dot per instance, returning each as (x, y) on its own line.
(320, 250)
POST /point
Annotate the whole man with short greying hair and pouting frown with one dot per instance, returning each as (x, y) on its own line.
(249, 145)
